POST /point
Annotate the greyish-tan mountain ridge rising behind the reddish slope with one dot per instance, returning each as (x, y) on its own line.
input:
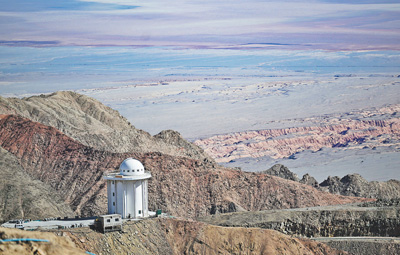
(96, 125)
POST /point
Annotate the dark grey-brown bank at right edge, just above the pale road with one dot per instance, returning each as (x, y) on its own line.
(319, 221)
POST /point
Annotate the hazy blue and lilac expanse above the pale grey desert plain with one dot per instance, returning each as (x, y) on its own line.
(48, 45)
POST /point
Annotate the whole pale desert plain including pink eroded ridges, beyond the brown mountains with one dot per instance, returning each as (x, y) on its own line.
(320, 124)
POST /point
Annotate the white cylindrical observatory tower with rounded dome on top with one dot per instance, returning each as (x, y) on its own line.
(127, 190)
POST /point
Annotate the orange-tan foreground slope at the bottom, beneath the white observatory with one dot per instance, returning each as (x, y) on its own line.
(174, 236)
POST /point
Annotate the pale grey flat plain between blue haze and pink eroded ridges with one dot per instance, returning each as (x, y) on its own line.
(204, 107)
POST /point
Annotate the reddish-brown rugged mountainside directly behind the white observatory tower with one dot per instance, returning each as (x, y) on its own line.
(181, 186)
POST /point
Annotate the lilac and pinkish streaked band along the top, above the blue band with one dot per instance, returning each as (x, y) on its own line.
(233, 24)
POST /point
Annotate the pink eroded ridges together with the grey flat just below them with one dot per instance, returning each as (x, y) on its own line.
(360, 142)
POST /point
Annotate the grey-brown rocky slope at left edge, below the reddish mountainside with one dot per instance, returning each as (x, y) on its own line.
(23, 197)
